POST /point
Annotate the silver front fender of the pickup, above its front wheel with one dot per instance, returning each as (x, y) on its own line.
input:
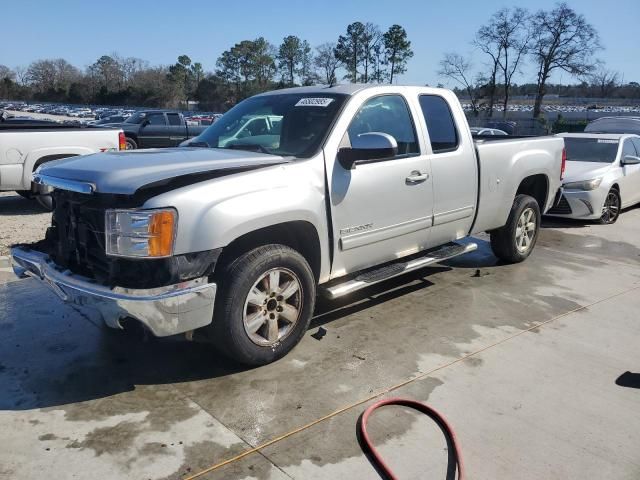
(213, 213)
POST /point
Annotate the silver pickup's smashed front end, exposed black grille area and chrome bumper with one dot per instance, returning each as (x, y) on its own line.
(168, 295)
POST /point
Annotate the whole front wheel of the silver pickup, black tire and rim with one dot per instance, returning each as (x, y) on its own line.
(260, 316)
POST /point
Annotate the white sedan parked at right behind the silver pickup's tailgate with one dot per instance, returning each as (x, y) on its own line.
(602, 176)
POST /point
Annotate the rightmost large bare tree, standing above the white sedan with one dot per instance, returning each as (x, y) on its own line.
(563, 40)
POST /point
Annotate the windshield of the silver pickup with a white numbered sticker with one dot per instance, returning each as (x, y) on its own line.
(283, 124)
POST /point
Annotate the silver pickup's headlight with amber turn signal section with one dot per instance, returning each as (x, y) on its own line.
(140, 233)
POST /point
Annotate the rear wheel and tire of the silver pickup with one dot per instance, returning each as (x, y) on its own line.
(508, 243)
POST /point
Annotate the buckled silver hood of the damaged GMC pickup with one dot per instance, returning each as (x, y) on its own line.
(126, 172)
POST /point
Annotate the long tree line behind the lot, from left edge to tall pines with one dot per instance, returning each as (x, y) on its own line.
(365, 53)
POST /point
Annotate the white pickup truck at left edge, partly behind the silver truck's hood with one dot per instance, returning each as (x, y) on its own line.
(25, 146)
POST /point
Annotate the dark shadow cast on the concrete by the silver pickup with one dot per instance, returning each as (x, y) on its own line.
(74, 360)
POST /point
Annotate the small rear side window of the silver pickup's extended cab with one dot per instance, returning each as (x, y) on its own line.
(440, 124)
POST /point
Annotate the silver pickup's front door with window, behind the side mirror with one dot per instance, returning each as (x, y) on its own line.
(381, 209)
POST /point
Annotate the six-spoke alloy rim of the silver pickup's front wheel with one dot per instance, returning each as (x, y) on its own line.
(273, 307)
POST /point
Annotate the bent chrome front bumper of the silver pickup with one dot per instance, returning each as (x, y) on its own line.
(164, 311)
